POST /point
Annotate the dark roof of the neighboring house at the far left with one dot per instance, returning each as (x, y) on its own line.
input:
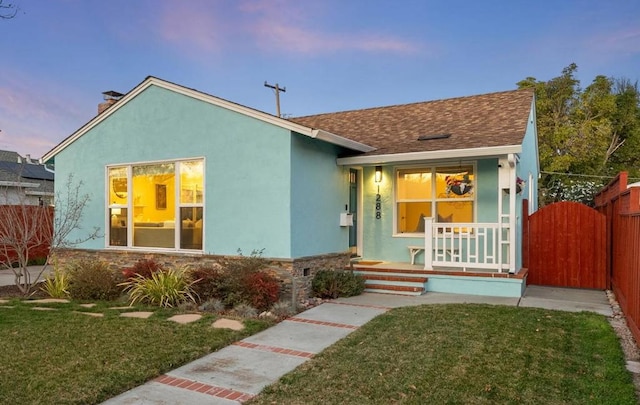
(16, 168)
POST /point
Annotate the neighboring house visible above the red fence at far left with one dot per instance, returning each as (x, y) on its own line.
(24, 181)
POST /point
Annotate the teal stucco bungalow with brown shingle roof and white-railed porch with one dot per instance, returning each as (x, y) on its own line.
(418, 197)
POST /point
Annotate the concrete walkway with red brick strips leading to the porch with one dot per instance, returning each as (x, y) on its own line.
(240, 371)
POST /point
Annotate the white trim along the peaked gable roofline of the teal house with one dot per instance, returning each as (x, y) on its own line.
(262, 116)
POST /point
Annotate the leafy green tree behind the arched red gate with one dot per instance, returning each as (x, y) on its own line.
(591, 132)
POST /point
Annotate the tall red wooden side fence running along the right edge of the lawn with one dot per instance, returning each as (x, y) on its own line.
(621, 205)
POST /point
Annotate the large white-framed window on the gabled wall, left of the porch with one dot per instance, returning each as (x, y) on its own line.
(156, 205)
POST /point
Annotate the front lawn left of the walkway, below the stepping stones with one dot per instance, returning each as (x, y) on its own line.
(62, 357)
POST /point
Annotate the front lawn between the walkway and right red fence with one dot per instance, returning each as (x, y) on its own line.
(466, 354)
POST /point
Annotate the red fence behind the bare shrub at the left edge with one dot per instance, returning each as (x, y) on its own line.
(28, 228)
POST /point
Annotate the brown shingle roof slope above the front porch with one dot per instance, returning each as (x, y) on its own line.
(496, 119)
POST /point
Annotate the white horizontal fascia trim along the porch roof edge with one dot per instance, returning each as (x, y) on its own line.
(492, 151)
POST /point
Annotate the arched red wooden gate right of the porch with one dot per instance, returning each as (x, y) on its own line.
(566, 246)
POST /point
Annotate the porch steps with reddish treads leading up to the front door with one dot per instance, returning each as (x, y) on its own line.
(392, 281)
